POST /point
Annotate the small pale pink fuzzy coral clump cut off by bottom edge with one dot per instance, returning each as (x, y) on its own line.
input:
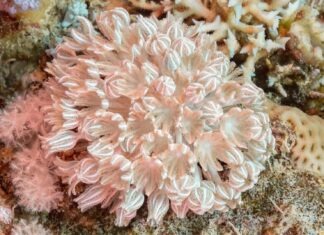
(29, 228)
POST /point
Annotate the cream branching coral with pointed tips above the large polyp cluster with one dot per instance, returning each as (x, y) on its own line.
(239, 26)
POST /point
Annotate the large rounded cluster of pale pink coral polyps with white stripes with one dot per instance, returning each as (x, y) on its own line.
(163, 115)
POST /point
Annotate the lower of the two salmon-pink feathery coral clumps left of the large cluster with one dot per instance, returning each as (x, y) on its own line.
(34, 183)
